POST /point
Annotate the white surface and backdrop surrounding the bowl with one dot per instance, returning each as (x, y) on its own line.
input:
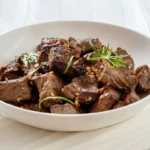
(133, 134)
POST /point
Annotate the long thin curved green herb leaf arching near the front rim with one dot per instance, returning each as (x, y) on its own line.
(54, 97)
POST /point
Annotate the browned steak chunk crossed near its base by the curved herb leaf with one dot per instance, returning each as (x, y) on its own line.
(49, 85)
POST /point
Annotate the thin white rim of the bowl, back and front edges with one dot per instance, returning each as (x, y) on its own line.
(75, 115)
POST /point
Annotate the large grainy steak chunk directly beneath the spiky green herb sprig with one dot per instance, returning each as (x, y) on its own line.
(121, 78)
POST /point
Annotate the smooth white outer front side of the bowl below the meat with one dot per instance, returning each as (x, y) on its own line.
(72, 122)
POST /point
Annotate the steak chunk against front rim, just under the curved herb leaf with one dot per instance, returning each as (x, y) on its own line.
(64, 109)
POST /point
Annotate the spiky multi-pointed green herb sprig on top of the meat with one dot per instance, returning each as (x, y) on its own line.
(105, 53)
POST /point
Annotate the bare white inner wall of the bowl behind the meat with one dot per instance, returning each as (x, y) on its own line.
(26, 39)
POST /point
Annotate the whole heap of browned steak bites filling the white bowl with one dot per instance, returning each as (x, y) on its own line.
(60, 69)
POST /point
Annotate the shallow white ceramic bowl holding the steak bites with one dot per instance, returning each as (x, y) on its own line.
(27, 38)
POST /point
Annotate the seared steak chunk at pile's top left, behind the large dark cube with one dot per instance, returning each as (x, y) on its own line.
(45, 46)
